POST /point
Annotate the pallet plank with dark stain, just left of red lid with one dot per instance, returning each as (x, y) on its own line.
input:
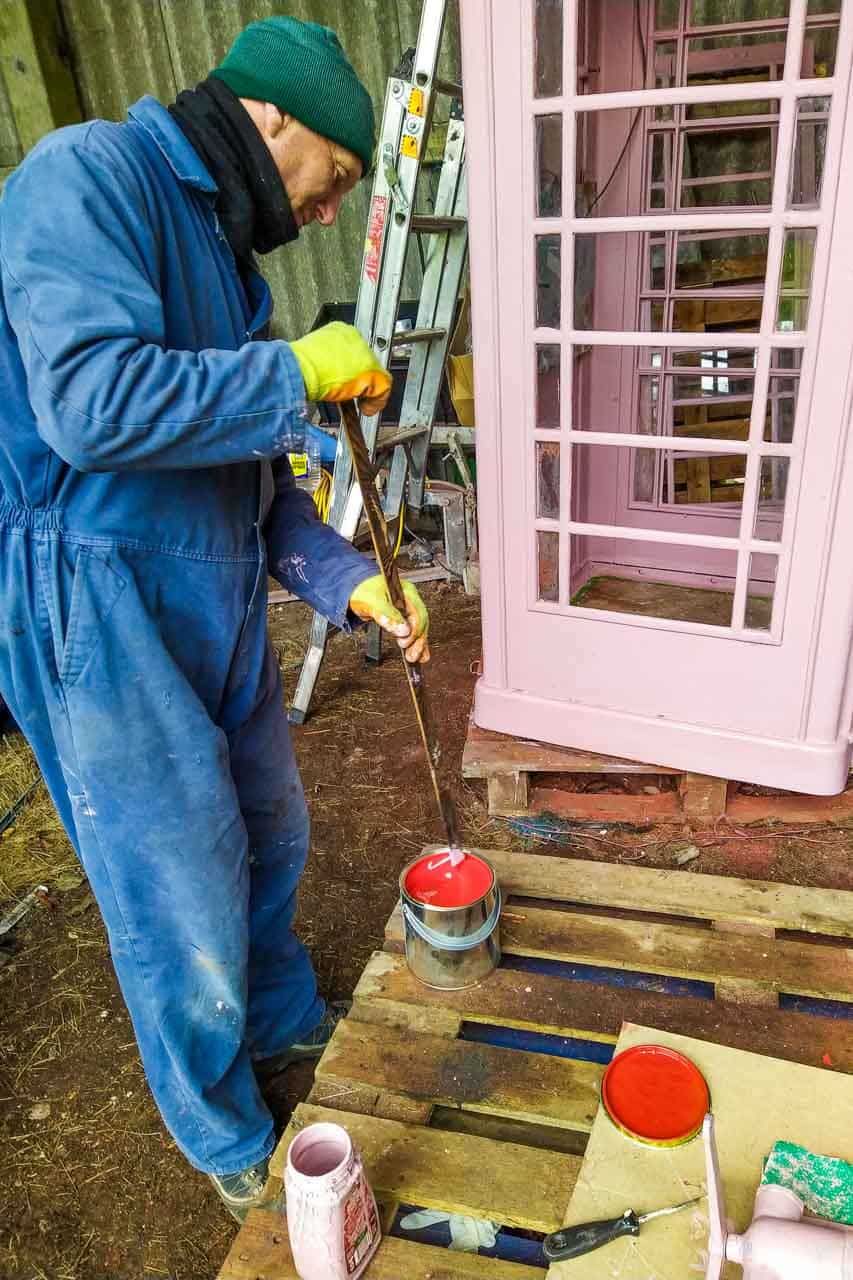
(533, 1087)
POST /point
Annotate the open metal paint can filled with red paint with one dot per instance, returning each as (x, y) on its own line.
(451, 917)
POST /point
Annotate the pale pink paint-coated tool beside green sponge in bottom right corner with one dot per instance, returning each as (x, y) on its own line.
(781, 1244)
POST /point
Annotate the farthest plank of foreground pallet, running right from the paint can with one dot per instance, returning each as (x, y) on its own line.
(708, 898)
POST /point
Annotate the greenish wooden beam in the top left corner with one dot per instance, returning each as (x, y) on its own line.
(39, 80)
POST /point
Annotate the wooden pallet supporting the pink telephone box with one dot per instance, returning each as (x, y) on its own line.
(523, 779)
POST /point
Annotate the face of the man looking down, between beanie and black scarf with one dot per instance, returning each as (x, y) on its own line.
(317, 173)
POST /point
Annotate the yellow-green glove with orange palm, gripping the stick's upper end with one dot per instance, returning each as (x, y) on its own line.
(339, 365)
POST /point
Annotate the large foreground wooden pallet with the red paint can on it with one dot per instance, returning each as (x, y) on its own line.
(466, 1101)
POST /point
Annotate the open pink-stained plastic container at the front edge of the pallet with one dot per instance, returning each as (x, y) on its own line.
(332, 1218)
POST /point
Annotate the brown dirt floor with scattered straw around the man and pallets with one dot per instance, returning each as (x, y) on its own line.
(92, 1186)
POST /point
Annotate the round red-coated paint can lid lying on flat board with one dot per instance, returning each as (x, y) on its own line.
(655, 1095)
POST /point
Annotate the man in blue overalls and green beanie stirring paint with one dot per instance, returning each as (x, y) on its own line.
(147, 493)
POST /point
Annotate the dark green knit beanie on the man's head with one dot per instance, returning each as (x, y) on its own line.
(303, 70)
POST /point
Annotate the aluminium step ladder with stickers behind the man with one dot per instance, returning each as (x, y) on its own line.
(395, 223)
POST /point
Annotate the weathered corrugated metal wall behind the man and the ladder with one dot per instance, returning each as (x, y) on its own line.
(125, 51)
